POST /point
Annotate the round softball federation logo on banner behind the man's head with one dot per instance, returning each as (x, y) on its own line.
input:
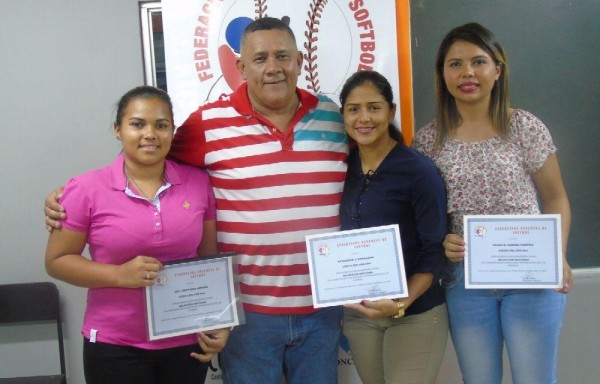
(336, 39)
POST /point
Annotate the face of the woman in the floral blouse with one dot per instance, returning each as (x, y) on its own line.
(470, 73)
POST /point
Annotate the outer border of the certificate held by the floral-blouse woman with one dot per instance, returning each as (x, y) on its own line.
(552, 219)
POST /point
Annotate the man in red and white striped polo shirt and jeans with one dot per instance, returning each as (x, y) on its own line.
(276, 156)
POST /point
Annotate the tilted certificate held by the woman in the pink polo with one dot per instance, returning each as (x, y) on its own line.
(191, 296)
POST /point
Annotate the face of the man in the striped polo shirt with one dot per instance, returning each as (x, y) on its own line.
(270, 63)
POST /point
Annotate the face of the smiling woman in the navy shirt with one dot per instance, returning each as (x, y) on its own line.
(367, 116)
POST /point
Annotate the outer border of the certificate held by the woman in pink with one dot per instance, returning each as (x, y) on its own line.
(235, 316)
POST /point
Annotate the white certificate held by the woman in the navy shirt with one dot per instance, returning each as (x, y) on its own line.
(350, 266)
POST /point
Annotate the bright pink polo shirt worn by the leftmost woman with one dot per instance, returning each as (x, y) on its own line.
(120, 227)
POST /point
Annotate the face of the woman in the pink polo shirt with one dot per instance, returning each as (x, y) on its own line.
(146, 131)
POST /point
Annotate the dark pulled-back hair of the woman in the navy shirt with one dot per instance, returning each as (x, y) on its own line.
(383, 87)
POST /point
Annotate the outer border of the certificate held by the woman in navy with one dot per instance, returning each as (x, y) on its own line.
(310, 239)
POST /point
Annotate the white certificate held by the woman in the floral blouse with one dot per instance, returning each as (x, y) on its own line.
(505, 251)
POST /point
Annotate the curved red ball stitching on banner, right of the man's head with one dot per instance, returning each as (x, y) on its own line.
(310, 56)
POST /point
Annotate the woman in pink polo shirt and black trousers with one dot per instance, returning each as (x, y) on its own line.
(136, 213)
